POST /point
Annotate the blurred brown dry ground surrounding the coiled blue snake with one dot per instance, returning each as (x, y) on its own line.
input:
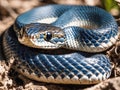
(11, 80)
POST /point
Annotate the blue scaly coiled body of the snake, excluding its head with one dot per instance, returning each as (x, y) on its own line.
(62, 65)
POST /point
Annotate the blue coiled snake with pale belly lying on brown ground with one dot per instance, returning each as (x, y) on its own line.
(62, 44)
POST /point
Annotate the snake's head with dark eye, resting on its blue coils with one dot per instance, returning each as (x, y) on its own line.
(42, 36)
